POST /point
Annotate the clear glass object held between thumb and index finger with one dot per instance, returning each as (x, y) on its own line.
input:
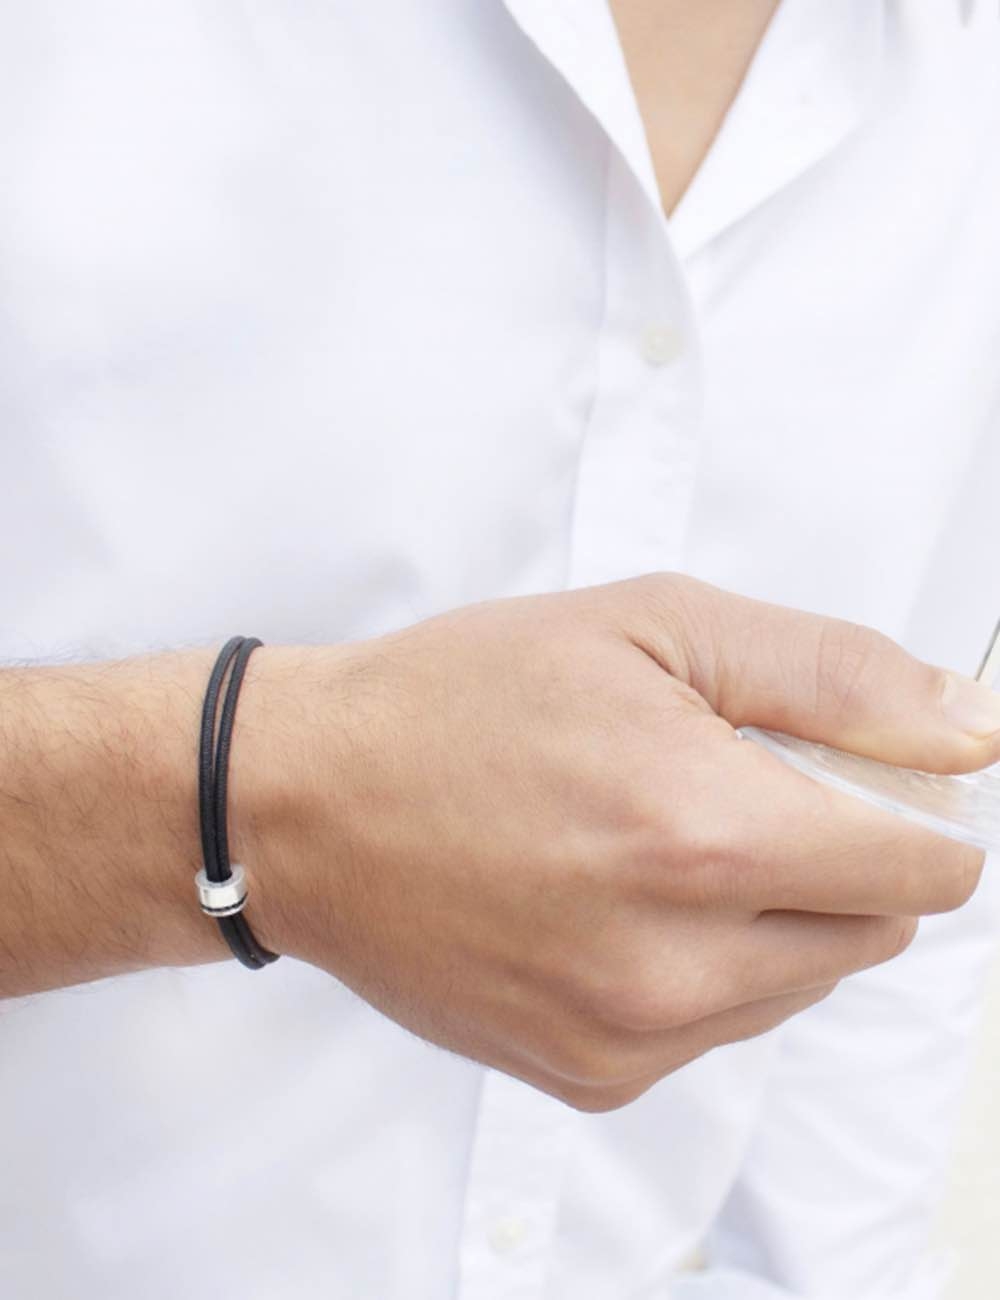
(963, 808)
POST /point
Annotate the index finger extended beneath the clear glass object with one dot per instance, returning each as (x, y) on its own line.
(744, 830)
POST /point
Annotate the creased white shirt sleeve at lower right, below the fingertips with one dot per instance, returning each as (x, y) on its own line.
(847, 1168)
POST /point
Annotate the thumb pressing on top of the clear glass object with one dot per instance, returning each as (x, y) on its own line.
(817, 678)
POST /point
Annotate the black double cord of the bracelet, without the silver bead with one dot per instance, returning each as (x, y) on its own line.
(213, 786)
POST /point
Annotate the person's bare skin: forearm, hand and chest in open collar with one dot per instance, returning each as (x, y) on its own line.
(526, 830)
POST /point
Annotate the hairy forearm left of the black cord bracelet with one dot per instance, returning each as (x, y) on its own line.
(99, 838)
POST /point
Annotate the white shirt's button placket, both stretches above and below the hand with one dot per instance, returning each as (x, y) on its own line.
(631, 505)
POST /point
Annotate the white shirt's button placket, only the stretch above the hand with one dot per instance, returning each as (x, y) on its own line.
(638, 454)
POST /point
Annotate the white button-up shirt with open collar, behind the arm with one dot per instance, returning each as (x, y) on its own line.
(322, 318)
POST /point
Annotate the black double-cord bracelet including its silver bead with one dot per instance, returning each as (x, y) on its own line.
(223, 886)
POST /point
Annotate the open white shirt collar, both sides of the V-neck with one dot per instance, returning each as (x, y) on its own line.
(808, 89)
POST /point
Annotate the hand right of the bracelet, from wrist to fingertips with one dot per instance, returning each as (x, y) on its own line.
(527, 830)
